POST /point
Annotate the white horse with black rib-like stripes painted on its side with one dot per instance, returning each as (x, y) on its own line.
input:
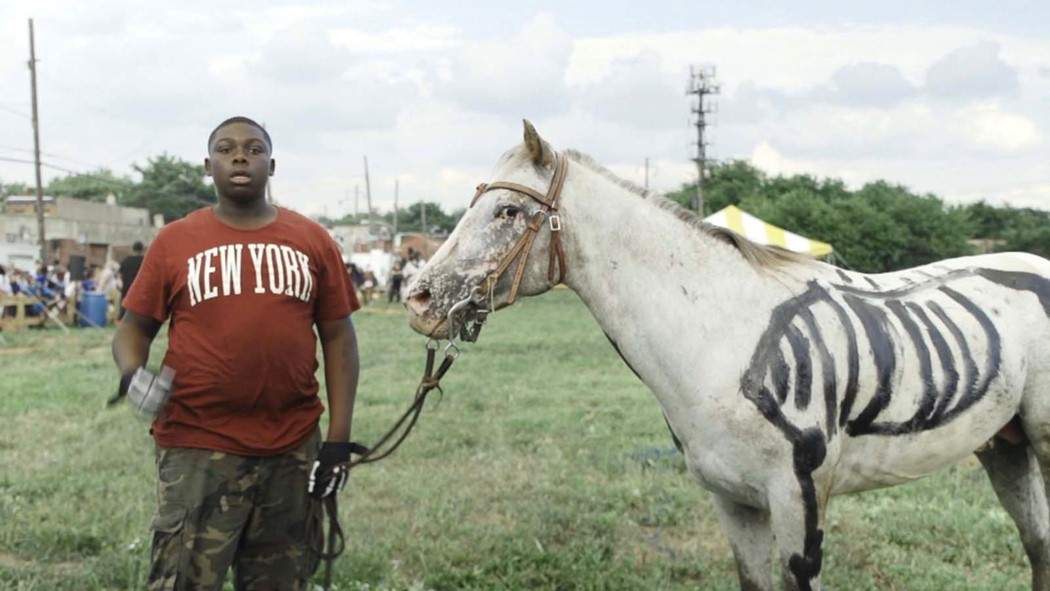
(785, 381)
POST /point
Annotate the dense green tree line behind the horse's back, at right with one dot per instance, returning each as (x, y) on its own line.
(878, 228)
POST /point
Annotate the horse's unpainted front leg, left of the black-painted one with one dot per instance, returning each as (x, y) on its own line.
(751, 538)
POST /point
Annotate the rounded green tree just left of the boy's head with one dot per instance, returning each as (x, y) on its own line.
(173, 187)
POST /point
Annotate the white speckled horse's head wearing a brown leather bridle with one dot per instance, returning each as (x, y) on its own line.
(507, 245)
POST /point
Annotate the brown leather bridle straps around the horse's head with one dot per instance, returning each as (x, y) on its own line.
(524, 246)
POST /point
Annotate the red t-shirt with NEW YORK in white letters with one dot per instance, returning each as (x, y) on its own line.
(243, 306)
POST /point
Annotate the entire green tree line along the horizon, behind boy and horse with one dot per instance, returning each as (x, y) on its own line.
(880, 227)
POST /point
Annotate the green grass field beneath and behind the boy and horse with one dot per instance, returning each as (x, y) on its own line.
(545, 466)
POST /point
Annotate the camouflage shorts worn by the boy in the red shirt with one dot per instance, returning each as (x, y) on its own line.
(219, 511)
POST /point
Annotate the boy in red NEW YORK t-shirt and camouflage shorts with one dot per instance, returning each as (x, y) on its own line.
(244, 284)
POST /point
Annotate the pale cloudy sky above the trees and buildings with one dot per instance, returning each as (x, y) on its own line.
(944, 98)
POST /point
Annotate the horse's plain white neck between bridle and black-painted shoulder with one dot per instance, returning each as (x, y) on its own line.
(671, 298)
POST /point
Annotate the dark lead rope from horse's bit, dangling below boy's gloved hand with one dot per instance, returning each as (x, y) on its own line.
(328, 509)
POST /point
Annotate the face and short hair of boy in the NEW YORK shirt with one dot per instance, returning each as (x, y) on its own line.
(239, 161)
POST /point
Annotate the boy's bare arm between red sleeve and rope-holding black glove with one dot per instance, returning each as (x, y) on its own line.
(342, 369)
